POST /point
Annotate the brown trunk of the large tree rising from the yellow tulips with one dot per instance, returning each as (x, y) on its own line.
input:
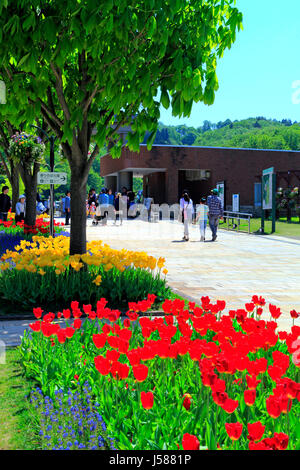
(78, 211)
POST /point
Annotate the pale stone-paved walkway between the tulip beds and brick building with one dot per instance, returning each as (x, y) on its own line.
(233, 268)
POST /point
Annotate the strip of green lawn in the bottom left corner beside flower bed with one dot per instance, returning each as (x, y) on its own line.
(16, 423)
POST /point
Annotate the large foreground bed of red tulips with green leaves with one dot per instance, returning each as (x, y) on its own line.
(196, 378)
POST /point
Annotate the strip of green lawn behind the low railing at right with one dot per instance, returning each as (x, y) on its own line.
(283, 228)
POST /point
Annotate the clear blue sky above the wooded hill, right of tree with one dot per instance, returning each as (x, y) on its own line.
(256, 75)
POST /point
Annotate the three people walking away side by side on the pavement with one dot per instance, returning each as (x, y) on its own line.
(210, 209)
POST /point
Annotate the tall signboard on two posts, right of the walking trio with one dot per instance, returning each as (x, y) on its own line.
(268, 194)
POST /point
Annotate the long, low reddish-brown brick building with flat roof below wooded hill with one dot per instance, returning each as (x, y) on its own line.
(168, 169)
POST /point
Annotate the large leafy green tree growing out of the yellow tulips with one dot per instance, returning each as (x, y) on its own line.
(88, 68)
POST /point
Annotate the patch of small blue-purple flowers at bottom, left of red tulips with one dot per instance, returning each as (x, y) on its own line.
(70, 421)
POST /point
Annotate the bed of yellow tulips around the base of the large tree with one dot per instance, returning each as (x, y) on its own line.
(43, 272)
